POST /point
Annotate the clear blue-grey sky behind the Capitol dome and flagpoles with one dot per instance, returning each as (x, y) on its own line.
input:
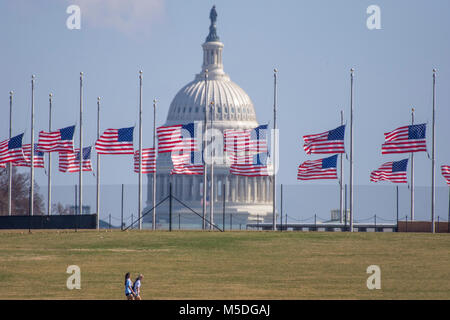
(312, 43)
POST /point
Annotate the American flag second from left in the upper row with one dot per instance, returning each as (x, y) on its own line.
(56, 141)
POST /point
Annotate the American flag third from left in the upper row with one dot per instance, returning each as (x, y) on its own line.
(115, 141)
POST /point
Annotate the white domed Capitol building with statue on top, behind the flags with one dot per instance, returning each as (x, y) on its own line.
(248, 199)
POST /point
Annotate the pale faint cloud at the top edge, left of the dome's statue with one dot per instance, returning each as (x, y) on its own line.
(127, 16)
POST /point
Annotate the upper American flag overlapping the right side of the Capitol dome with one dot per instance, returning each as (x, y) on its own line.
(249, 141)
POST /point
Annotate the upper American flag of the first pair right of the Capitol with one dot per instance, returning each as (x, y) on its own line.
(327, 142)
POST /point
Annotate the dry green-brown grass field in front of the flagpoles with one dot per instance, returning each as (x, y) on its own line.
(230, 265)
